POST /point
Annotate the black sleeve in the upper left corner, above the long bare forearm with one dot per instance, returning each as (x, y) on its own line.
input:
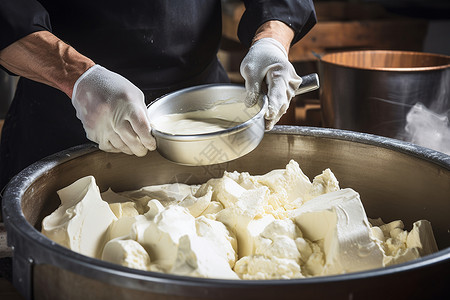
(18, 18)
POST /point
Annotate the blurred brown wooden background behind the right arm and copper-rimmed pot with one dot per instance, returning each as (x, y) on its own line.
(410, 25)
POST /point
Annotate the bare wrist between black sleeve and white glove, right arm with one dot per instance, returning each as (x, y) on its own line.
(276, 30)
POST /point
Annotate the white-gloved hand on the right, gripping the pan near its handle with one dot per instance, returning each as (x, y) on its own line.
(267, 59)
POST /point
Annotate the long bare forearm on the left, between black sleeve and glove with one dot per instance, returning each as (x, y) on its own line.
(43, 57)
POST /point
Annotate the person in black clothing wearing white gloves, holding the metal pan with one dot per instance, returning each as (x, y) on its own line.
(89, 68)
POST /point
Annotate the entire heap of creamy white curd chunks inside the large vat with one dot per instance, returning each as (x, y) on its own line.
(278, 225)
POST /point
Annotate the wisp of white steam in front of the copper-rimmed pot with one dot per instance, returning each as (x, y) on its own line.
(428, 127)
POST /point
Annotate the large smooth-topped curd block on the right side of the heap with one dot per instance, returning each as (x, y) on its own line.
(338, 219)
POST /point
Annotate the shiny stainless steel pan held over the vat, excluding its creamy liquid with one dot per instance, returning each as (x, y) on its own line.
(208, 148)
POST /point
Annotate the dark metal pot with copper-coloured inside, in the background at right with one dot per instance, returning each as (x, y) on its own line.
(373, 91)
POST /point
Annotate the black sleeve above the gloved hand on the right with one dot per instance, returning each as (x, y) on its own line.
(297, 14)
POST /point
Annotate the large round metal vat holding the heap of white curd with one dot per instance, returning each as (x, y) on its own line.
(396, 180)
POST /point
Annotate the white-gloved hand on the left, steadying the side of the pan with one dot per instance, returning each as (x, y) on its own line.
(113, 112)
